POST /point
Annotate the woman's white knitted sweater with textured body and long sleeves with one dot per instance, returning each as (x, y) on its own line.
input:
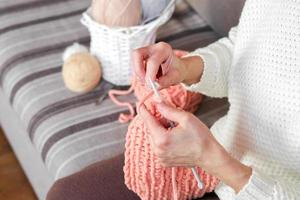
(258, 68)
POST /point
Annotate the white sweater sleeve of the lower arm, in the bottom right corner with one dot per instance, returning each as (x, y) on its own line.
(266, 188)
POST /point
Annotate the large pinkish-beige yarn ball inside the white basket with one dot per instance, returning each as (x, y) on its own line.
(123, 13)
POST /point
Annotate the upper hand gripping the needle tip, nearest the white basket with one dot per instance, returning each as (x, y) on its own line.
(159, 62)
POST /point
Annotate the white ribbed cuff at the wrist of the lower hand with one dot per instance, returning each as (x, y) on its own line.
(258, 187)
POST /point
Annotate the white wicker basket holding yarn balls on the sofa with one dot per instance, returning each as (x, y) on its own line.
(113, 46)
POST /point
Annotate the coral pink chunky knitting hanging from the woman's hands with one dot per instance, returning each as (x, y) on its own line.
(143, 174)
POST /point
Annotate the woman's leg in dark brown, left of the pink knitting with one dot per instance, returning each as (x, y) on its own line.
(103, 180)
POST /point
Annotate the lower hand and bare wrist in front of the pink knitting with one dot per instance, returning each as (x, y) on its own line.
(191, 143)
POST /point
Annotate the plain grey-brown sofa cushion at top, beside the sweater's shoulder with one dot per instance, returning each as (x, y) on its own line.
(221, 15)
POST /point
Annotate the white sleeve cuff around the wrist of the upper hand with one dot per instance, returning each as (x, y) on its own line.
(209, 75)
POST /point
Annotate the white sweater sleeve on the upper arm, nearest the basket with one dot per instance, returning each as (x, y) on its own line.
(217, 59)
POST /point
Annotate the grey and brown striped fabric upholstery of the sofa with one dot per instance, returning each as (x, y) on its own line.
(69, 130)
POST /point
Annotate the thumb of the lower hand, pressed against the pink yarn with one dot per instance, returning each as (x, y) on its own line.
(171, 113)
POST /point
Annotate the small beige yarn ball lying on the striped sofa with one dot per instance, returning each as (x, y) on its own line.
(81, 72)
